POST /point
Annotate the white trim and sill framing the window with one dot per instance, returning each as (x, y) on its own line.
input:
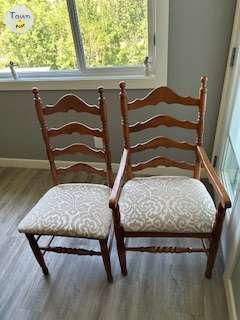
(107, 77)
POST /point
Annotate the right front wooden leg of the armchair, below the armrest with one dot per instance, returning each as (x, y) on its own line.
(214, 242)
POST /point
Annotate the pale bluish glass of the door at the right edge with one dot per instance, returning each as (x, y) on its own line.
(231, 171)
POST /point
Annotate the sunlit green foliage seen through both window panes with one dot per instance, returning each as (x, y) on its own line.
(114, 33)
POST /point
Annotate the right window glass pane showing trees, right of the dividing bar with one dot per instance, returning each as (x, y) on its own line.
(114, 32)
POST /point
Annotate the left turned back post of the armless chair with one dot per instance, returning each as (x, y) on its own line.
(40, 114)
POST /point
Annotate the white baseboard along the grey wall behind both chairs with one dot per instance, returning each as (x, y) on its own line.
(44, 164)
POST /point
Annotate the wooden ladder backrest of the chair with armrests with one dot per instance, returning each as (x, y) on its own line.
(163, 94)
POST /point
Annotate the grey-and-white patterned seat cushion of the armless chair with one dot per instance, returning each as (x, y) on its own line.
(74, 209)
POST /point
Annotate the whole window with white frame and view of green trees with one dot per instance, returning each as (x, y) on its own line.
(86, 40)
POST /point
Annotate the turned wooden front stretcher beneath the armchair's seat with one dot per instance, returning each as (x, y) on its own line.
(159, 249)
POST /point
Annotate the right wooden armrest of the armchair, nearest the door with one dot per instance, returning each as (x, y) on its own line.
(214, 179)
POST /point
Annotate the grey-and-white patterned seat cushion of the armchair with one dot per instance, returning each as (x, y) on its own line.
(166, 204)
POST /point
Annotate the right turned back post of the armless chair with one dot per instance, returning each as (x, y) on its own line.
(107, 153)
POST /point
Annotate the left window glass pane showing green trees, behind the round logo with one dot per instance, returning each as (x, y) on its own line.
(47, 46)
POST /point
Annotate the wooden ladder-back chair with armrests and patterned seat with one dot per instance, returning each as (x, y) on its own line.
(171, 206)
